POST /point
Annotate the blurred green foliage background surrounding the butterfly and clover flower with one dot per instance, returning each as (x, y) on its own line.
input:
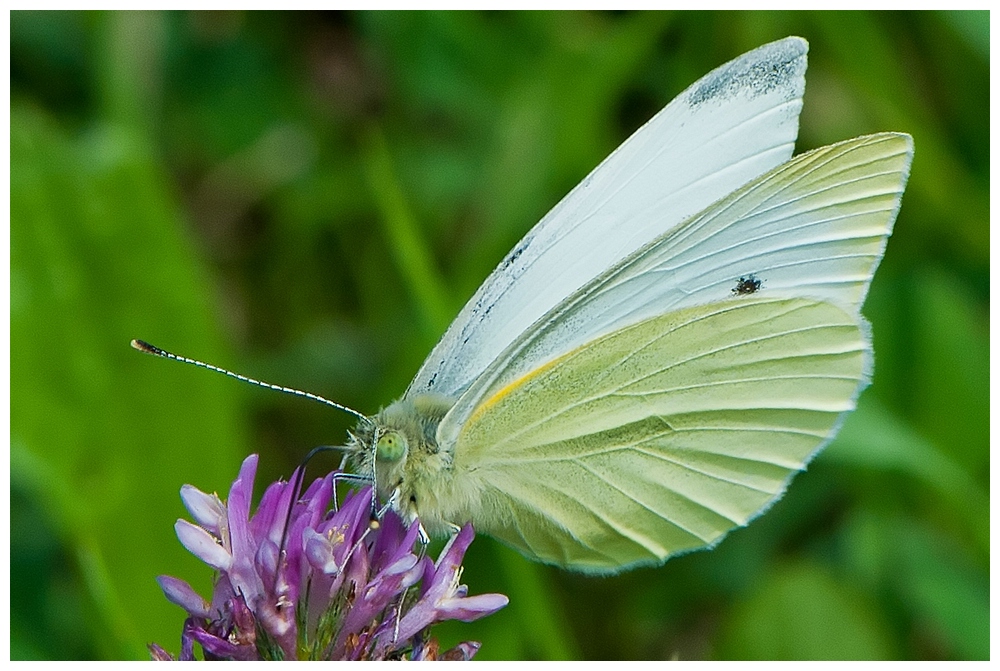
(310, 198)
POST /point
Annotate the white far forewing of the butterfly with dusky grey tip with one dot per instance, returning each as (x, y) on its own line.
(732, 125)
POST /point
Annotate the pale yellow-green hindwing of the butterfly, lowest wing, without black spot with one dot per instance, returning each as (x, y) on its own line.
(664, 435)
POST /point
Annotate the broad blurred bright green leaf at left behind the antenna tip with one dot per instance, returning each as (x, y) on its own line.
(97, 433)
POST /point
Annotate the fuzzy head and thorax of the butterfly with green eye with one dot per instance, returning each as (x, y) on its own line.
(399, 447)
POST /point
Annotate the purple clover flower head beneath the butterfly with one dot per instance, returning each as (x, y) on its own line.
(344, 587)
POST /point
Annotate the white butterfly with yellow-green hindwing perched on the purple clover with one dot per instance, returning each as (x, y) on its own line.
(667, 347)
